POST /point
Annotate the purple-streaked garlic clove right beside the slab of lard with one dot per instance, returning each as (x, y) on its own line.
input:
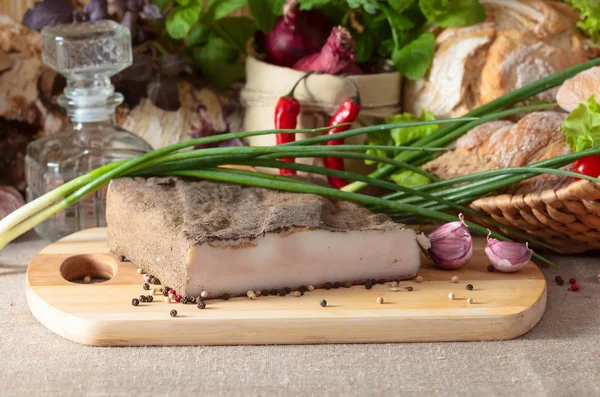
(450, 245)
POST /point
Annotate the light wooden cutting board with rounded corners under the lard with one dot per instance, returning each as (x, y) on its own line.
(505, 306)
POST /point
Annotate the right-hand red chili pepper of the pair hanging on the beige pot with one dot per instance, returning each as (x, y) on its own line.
(346, 113)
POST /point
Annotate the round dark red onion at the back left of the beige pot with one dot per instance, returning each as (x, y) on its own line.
(296, 34)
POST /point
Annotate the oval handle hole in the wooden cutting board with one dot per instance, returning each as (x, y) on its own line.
(99, 268)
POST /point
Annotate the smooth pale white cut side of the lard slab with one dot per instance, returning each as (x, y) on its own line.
(302, 258)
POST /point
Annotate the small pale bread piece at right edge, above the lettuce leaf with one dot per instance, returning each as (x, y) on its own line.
(579, 89)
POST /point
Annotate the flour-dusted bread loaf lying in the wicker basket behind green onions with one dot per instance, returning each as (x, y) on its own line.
(504, 144)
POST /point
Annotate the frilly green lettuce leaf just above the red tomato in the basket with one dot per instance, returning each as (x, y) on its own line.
(582, 126)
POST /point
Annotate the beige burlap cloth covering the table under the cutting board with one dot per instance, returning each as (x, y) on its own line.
(559, 357)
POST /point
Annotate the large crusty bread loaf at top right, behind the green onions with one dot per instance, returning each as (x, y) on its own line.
(520, 42)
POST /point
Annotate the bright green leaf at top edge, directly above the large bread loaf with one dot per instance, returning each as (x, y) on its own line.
(448, 13)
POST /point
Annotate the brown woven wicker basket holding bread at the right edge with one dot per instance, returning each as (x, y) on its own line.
(568, 219)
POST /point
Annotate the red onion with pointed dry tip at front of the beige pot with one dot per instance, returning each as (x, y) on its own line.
(336, 56)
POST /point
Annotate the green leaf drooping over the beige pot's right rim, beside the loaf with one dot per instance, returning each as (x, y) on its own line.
(413, 59)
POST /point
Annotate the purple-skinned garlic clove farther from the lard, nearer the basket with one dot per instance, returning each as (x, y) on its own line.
(507, 256)
